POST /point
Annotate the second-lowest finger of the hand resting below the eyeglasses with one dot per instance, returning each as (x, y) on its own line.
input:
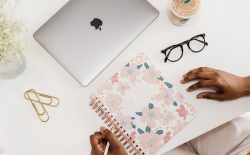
(203, 84)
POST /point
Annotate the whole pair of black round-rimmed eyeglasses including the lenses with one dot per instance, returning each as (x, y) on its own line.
(196, 44)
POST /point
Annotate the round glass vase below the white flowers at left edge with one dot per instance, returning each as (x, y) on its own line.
(12, 65)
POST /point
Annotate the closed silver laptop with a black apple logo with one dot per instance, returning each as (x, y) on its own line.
(86, 35)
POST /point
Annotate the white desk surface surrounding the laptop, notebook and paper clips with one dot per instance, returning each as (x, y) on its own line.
(226, 23)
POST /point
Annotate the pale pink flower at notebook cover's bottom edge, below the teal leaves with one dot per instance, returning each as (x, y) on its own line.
(151, 142)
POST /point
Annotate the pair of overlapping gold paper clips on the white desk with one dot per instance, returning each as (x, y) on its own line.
(38, 101)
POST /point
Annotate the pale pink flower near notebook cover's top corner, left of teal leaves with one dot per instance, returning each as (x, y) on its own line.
(131, 72)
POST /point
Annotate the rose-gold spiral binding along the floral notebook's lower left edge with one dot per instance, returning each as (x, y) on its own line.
(108, 119)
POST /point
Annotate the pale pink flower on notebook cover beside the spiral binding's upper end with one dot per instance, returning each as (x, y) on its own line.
(113, 101)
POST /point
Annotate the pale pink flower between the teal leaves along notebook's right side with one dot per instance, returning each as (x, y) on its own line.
(165, 95)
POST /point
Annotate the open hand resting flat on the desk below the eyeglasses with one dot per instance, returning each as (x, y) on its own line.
(225, 86)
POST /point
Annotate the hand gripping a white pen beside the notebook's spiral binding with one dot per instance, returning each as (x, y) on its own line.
(99, 142)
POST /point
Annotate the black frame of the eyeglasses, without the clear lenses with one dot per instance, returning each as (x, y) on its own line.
(171, 48)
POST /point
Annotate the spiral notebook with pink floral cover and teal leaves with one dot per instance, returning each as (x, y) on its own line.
(141, 107)
